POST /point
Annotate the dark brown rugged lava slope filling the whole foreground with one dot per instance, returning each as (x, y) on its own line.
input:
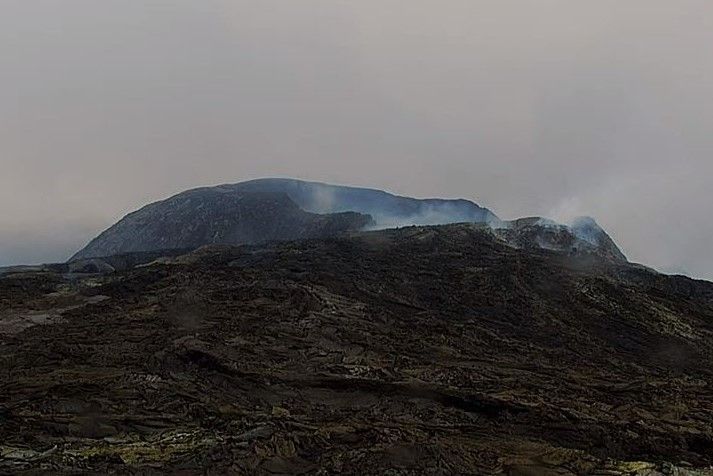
(422, 350)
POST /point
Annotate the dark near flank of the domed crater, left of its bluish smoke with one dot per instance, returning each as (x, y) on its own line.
(218, 216)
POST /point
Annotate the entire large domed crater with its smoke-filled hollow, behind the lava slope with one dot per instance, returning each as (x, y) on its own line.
(271, 209)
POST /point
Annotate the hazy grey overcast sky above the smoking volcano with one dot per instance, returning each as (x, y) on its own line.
(553, 108)
